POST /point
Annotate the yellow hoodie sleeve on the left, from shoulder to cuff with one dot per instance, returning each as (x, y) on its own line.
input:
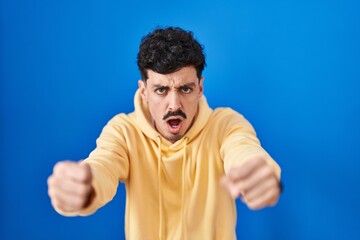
(109, 164)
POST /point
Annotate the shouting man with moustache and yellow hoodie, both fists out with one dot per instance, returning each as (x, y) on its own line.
(183, 163)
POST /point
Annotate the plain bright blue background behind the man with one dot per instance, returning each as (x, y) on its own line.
(291, 67)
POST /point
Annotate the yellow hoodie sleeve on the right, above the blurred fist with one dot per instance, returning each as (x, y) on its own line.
(240, 143)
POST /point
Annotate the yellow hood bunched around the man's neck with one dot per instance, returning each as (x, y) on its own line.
(143, 119)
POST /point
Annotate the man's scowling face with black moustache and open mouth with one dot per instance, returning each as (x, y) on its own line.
(173, 100)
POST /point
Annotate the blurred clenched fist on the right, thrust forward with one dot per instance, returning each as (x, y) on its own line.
(254, 182)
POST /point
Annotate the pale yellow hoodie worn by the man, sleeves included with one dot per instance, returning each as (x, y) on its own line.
(172, 189)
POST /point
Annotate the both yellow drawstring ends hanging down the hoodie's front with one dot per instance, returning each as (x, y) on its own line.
(183, 191)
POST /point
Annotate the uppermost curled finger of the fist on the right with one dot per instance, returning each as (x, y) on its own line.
(246, 169)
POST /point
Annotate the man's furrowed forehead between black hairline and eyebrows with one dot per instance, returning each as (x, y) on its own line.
(185, 75)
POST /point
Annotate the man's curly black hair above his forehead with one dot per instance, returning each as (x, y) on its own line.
(166, 50)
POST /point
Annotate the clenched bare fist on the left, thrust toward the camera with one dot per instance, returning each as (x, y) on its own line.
(69, 186)
